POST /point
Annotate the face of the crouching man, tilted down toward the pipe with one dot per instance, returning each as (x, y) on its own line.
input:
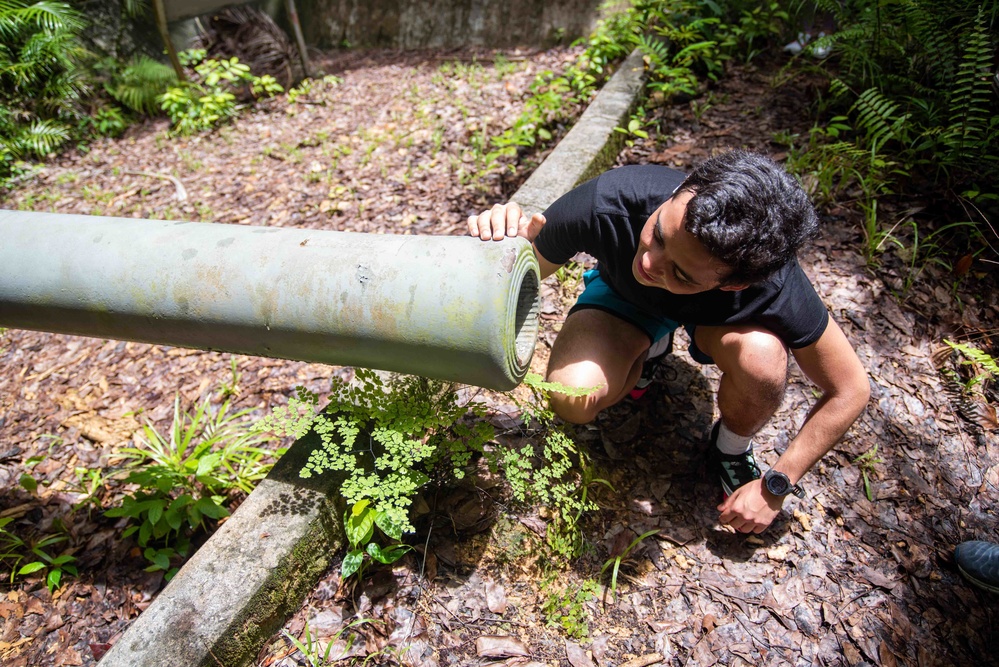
(671, 258)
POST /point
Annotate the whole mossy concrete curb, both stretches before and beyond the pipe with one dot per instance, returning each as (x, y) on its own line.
(255, 571)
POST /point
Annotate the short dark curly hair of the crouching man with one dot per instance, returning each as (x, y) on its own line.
(749, 213)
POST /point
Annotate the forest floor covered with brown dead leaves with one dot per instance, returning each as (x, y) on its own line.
(854, 574)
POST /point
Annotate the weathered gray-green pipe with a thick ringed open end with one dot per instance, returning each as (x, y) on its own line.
(452, 308)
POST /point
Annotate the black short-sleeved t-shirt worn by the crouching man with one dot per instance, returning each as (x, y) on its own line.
(604, 217)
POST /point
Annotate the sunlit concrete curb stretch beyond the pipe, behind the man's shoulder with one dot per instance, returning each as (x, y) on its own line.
(591, 145)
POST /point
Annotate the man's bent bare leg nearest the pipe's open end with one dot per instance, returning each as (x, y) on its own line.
(595, 349)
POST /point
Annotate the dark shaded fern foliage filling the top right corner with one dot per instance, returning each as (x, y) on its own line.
(915, 95)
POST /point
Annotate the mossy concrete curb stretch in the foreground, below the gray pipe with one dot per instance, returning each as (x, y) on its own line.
(247, 579)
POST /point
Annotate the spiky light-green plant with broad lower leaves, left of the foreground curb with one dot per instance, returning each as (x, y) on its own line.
(186, 476)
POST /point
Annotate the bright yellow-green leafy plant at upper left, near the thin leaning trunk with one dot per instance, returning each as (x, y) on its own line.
(208, 99)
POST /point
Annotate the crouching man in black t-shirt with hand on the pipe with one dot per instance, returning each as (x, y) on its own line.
(713, 252)
